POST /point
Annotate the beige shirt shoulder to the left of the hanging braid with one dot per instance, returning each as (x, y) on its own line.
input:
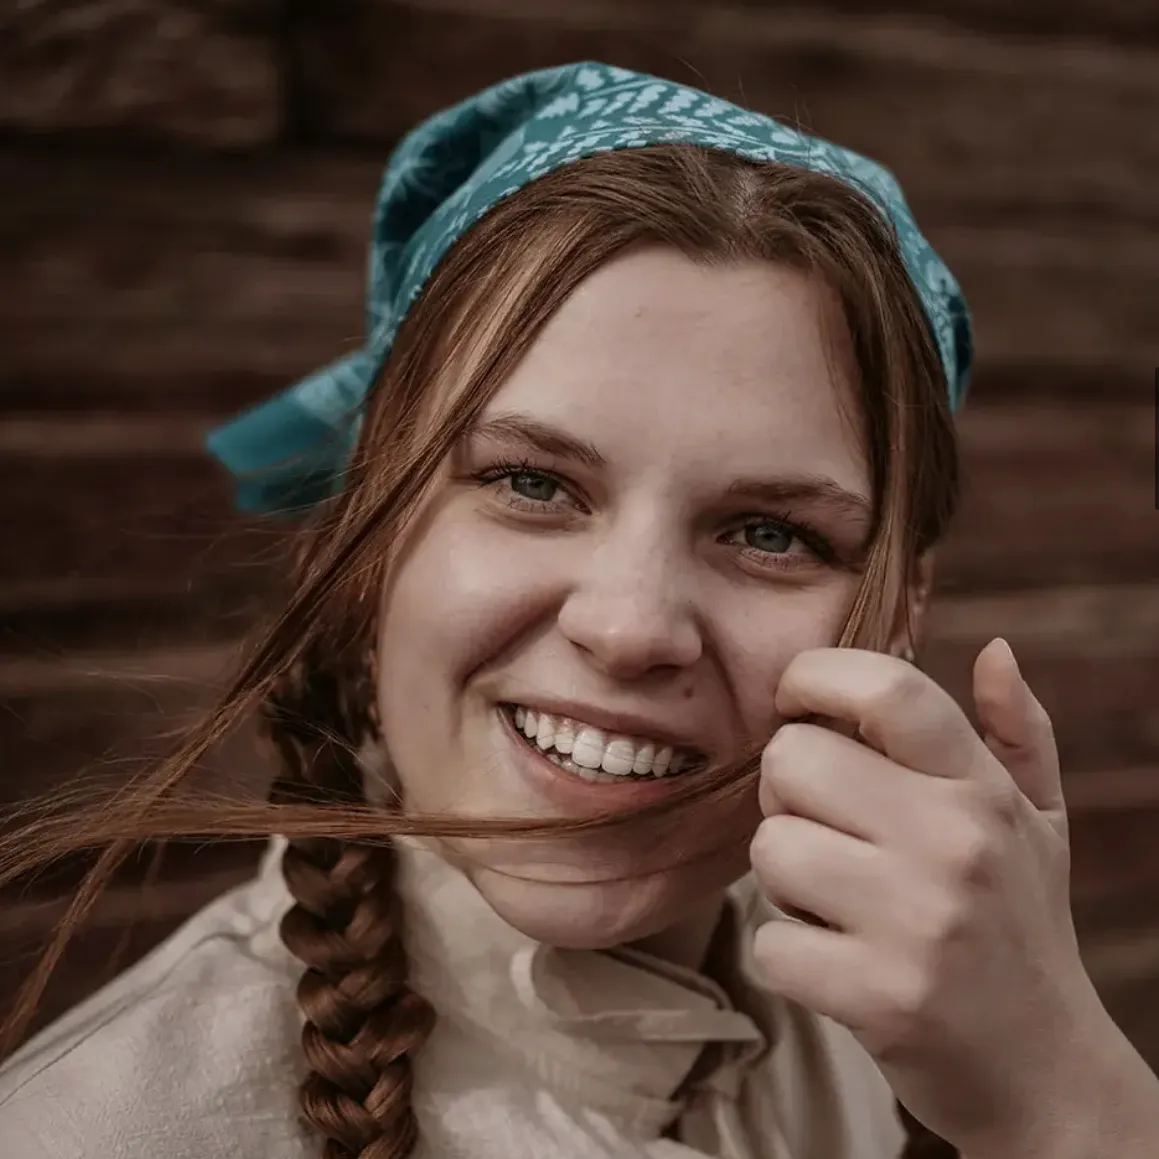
(189, 1053)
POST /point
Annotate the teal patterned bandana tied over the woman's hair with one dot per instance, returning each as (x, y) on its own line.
(290, 451)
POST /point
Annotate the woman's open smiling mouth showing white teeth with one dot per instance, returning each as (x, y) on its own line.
(596, 755)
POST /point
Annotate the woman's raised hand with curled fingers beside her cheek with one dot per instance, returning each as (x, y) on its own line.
(939, 862)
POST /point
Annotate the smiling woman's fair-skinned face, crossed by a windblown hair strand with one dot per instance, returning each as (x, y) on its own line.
(664, 505)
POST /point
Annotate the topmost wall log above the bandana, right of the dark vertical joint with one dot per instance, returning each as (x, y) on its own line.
(931, 100)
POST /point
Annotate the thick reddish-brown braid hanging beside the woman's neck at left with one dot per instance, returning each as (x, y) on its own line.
(346, 925)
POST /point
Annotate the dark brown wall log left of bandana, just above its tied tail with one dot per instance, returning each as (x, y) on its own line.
(188, 285)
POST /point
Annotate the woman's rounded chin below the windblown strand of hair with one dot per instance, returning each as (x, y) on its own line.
(581, 916)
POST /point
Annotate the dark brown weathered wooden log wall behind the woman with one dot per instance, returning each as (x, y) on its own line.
(185, 193)
